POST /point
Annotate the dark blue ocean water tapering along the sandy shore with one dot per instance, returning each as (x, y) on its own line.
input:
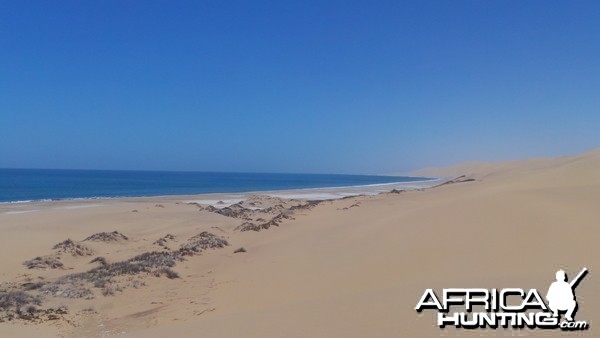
(24, 185)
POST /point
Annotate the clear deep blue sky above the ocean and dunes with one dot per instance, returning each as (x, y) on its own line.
(295, 86)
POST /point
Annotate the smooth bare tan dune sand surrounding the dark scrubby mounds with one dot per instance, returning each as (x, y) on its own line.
(347, 268)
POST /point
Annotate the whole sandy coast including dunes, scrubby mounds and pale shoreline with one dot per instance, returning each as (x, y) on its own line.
(346, 266)
